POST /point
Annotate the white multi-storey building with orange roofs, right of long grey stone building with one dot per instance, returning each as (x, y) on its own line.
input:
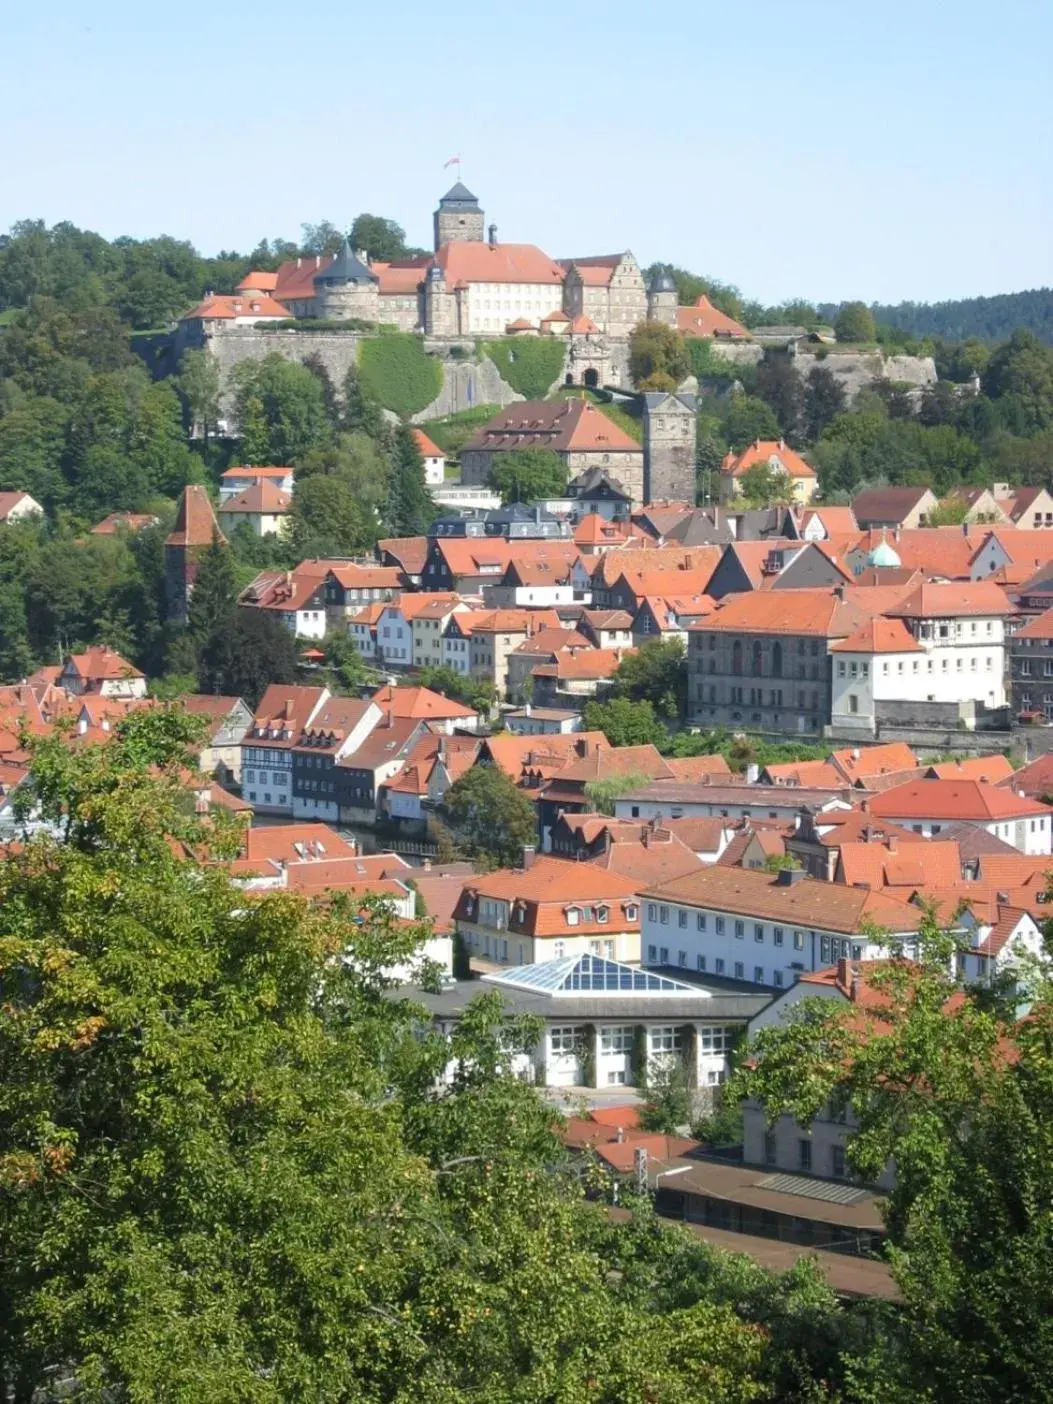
(936, 659)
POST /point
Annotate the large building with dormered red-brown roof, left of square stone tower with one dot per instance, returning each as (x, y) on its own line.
(582, 435)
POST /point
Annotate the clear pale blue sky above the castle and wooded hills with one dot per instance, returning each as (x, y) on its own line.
(828, 150)
